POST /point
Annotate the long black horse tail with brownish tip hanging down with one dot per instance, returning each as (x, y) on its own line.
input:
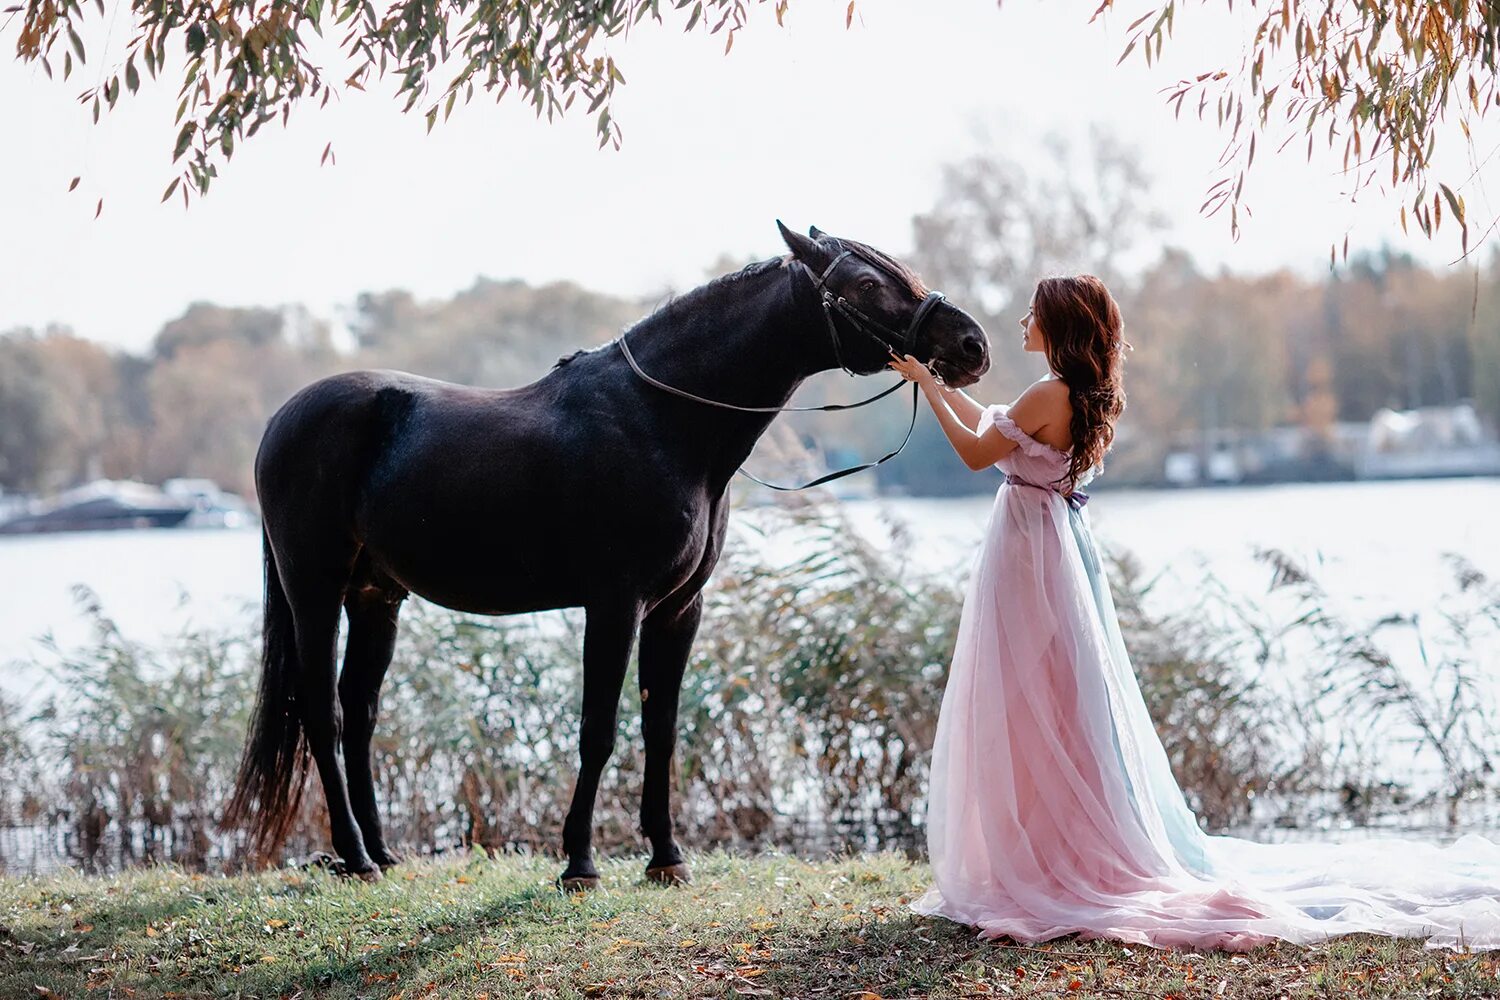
(268, 791)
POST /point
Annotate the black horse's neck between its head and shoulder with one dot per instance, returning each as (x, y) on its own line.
(751, 343)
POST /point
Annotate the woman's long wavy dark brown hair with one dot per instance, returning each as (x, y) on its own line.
(1082, 328)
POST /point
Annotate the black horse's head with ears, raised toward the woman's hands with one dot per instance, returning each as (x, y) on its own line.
(878, 305)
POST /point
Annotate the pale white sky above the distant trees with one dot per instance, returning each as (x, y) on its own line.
(811, 124)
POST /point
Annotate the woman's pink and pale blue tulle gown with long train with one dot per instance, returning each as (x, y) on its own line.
(1052, 806)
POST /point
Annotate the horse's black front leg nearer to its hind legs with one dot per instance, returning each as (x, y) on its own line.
(608, 638)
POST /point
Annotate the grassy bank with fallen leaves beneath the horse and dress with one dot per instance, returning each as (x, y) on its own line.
(470, 929)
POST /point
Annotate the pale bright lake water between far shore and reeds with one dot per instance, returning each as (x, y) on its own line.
(1376, 546)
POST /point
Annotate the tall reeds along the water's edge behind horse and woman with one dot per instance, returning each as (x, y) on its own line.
(806, 719)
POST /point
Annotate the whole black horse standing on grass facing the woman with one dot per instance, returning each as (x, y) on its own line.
(590, 488)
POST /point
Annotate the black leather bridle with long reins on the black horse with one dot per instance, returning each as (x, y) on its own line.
(832, 305)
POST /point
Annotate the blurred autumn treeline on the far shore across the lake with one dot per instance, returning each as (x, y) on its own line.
(1214, 353)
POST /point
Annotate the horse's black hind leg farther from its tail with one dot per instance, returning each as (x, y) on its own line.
(373, 605)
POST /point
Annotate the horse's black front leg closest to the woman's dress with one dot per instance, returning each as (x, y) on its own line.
(667, 639)
